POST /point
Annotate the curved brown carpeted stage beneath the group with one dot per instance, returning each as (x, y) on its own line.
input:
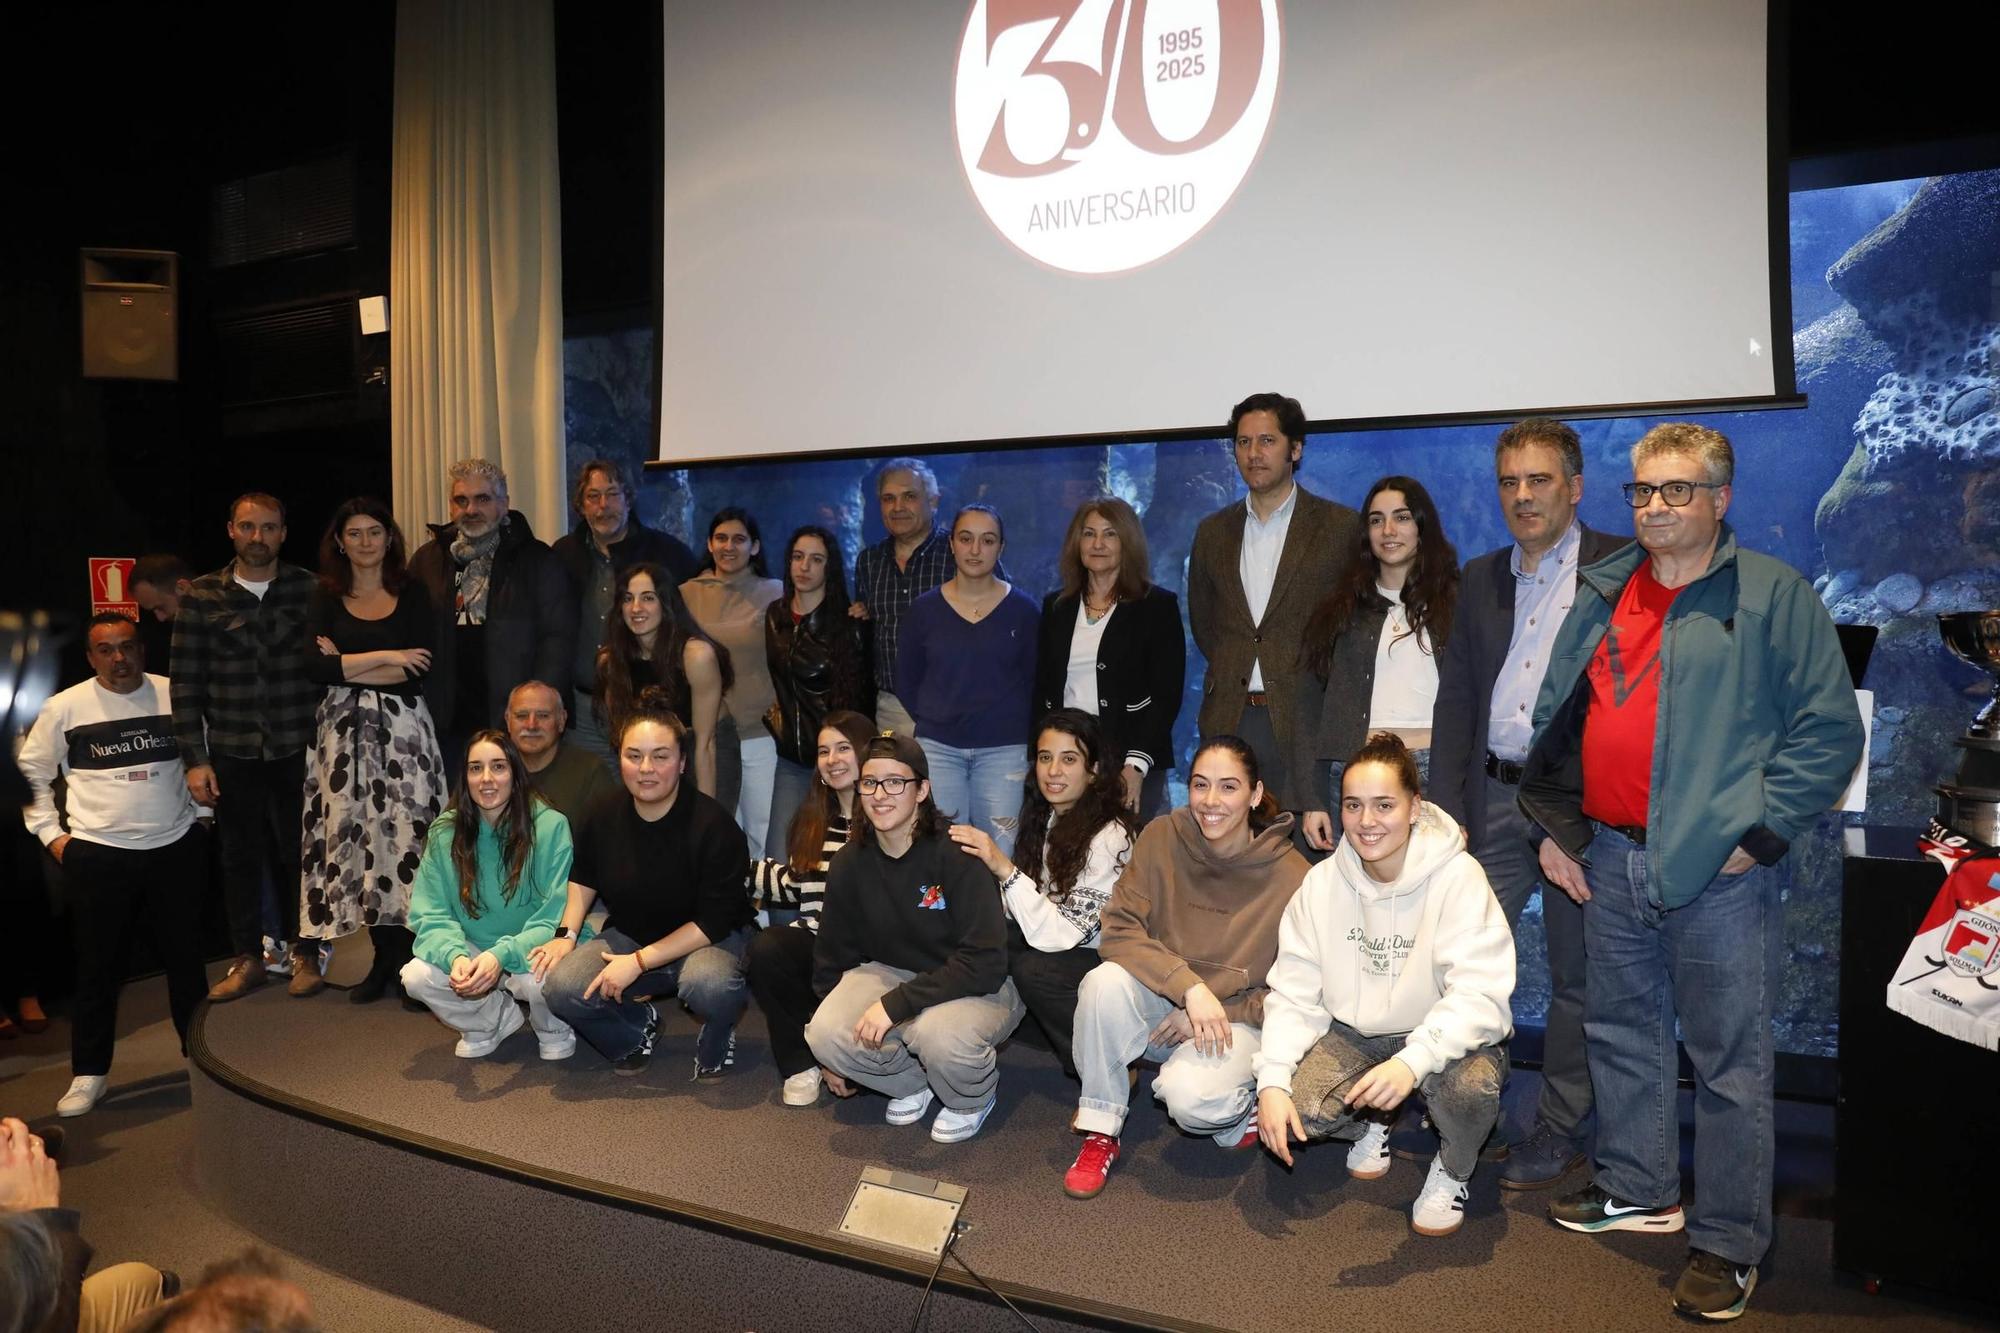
(553, 1196)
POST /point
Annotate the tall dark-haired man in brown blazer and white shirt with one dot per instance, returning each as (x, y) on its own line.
(1255, 573)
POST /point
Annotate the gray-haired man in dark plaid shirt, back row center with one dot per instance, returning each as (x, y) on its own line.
(911, 561)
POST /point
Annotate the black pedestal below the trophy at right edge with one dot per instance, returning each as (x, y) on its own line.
(1919, 1112)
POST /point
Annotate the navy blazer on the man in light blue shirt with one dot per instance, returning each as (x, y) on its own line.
(1483, 629)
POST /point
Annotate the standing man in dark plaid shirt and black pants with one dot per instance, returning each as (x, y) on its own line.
(243, 718)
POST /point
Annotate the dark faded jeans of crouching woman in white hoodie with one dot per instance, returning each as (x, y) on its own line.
(1463, 1098)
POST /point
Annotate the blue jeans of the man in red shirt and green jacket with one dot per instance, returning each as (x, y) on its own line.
(1715, 966)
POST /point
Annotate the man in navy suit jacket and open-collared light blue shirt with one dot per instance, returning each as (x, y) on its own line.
(1511, 603)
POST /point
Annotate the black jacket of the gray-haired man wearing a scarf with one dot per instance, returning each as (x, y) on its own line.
(531, 623)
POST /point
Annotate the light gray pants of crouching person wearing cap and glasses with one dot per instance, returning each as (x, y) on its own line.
(949, 1048)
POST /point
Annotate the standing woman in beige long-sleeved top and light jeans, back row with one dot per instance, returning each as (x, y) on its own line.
(729, 599)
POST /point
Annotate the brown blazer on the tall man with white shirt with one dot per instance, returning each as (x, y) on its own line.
(1315, 553)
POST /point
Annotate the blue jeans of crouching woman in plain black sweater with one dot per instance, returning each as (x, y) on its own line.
(709, 982)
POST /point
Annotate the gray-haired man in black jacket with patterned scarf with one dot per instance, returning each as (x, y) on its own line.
(507, 607)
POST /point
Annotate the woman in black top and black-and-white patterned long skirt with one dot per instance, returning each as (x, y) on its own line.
(375, 778)
